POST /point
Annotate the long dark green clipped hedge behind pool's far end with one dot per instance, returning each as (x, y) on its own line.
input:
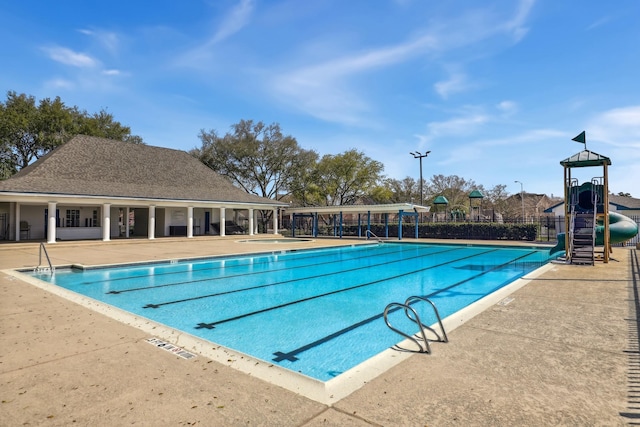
(458, 230)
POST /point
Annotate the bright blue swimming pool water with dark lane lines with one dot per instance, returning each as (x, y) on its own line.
(317, 312)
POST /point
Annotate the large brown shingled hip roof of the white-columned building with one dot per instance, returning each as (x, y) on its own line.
(91, 166)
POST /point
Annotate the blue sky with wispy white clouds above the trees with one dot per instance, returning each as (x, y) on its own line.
(494, 89)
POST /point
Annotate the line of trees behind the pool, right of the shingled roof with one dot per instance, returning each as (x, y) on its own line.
(260, 159)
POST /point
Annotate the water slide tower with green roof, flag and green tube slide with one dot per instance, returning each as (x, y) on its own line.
(592, 229)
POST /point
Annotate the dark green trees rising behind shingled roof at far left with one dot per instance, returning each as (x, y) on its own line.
(28, 130)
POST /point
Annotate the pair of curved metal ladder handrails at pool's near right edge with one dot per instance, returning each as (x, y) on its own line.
(420, 339)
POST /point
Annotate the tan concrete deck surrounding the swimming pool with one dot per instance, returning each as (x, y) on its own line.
(564, 351)
